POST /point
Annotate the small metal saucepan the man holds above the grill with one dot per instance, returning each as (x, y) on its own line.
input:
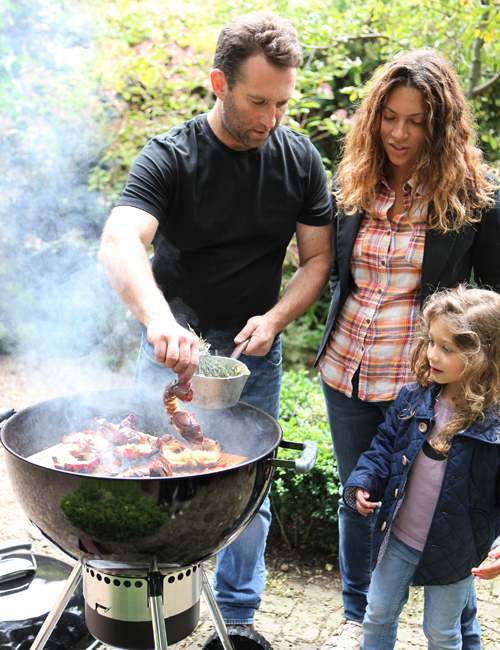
(220, 392)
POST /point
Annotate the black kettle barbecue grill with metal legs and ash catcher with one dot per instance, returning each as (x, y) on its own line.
(143, 575)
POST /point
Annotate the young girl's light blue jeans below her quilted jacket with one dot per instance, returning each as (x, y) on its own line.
(389, 590)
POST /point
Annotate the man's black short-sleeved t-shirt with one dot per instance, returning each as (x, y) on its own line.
(225, 219)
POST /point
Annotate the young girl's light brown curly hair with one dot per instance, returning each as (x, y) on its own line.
(473, 318)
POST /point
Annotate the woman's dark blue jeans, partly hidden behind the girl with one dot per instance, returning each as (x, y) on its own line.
(353, 425)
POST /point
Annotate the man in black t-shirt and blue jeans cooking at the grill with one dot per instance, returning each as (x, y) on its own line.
(220, 197)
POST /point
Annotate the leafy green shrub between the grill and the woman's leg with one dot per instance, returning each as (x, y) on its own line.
(305, 505)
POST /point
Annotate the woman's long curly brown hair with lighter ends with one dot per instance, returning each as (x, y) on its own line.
(449, 161)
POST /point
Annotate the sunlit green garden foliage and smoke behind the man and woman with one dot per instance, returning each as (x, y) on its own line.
(84, 85)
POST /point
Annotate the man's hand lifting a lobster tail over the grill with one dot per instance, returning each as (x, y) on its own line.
(175, 346)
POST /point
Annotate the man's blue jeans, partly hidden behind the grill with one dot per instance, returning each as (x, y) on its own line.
(240, 574)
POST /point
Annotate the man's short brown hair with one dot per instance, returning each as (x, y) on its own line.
(261, 32)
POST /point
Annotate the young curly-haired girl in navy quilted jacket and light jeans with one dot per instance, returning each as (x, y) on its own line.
(435, 464)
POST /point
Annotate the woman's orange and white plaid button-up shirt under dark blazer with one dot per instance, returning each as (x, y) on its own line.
(375, 329)
